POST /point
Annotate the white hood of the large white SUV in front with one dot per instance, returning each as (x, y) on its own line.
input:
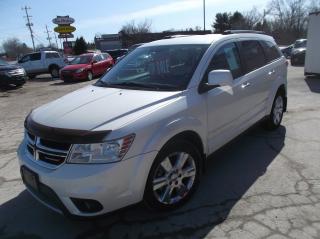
(93, 107)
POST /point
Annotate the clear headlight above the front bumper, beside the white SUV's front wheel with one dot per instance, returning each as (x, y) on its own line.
(105, 152)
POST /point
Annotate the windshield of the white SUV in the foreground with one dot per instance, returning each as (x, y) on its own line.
(168, 67)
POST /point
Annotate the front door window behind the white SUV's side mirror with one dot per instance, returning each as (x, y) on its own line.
(226, 58)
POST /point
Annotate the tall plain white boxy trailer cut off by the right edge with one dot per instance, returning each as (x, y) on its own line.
(312, 61)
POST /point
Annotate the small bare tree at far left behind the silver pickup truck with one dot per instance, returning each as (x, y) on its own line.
(14, 48)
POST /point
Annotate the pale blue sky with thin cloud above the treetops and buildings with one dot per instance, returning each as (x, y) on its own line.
(105, 16)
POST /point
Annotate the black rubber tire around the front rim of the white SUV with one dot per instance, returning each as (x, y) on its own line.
(172, 147)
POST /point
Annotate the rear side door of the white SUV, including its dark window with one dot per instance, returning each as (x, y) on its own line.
(254, 90)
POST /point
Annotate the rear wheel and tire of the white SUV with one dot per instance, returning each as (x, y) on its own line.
(273, 120)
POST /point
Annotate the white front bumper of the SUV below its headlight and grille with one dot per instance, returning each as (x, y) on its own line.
(114, 185)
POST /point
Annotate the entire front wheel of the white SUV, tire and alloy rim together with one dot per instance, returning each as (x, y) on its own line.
(172, 189)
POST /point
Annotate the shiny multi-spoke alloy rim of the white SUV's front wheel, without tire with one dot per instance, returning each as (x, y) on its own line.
(174, 178)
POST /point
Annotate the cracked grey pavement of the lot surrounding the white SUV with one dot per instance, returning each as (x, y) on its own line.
(261, 185)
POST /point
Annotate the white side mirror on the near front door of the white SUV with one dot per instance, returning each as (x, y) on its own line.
(217, 78)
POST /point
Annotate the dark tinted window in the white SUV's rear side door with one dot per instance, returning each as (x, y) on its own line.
(253, 55)
